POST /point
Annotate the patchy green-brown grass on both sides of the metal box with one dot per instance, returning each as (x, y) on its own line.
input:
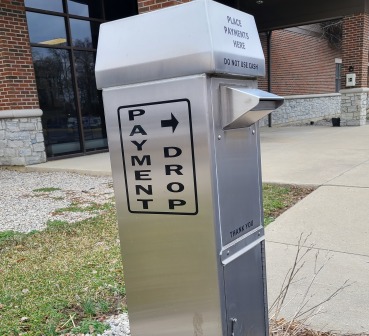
(68, 277)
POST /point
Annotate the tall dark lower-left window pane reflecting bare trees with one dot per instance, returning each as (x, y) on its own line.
(57, 100)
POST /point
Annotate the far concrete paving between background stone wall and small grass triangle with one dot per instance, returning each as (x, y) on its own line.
(315, 155)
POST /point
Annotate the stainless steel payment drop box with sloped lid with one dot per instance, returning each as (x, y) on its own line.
(182, 105)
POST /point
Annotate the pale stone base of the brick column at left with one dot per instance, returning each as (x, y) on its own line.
(21, 138)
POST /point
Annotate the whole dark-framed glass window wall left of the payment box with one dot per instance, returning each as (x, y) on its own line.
(63, 35)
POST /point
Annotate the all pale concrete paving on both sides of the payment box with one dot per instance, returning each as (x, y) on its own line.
(336, 216)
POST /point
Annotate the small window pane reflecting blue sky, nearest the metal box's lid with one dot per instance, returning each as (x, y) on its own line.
(84, 33)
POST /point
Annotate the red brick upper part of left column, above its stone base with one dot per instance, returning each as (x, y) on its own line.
(17, 79)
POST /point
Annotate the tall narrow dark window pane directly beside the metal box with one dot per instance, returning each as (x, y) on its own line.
(90, 101)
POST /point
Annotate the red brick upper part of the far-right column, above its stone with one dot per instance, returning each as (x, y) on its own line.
(355, 44)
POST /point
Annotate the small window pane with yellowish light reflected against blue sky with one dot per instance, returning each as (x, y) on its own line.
(46, 29)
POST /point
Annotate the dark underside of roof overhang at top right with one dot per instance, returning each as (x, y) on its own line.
(276, 14)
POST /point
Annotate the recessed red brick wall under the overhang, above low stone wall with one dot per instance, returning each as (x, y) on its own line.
(301, 64)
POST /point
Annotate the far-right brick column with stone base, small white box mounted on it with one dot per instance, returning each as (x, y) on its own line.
(355, 51)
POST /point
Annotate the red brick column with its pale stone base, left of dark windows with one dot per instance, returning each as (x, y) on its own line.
(21, 137)
